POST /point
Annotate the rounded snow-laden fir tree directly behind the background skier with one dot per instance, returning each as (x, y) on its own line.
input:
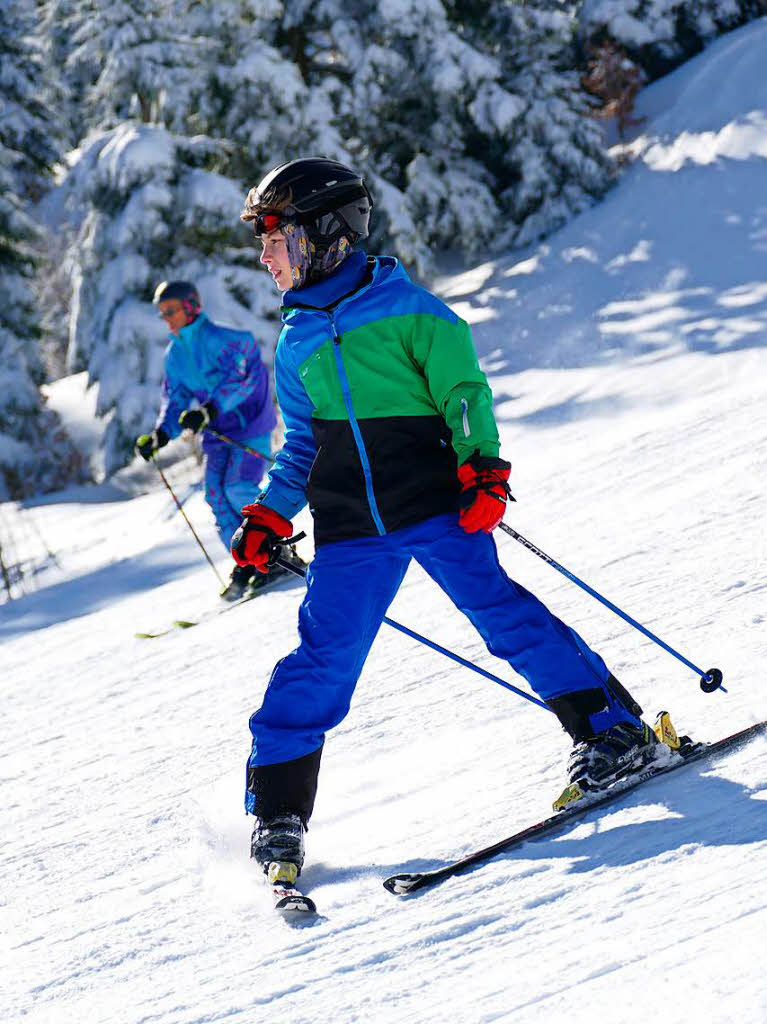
(149, 208)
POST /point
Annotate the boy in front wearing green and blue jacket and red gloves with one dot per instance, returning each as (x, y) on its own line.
(391, 437)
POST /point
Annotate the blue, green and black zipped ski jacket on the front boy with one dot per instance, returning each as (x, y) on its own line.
(382, 398)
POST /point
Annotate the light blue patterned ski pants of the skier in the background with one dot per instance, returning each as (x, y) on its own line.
(233, 478)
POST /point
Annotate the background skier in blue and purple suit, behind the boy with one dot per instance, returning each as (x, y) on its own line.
(215, 375)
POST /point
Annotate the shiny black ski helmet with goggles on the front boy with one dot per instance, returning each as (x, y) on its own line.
(330, 200)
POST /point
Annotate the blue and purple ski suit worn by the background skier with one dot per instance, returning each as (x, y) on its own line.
(209, 363)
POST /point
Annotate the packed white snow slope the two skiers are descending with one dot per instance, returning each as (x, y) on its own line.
(629, 362)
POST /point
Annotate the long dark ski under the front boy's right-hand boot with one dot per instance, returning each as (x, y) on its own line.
(406, 883)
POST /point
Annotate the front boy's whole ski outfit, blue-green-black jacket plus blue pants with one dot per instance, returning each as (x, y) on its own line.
(382, 396)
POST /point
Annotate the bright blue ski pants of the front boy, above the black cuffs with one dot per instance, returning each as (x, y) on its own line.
(351, 587)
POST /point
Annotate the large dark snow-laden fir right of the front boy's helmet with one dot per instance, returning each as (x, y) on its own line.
(471, 132)
